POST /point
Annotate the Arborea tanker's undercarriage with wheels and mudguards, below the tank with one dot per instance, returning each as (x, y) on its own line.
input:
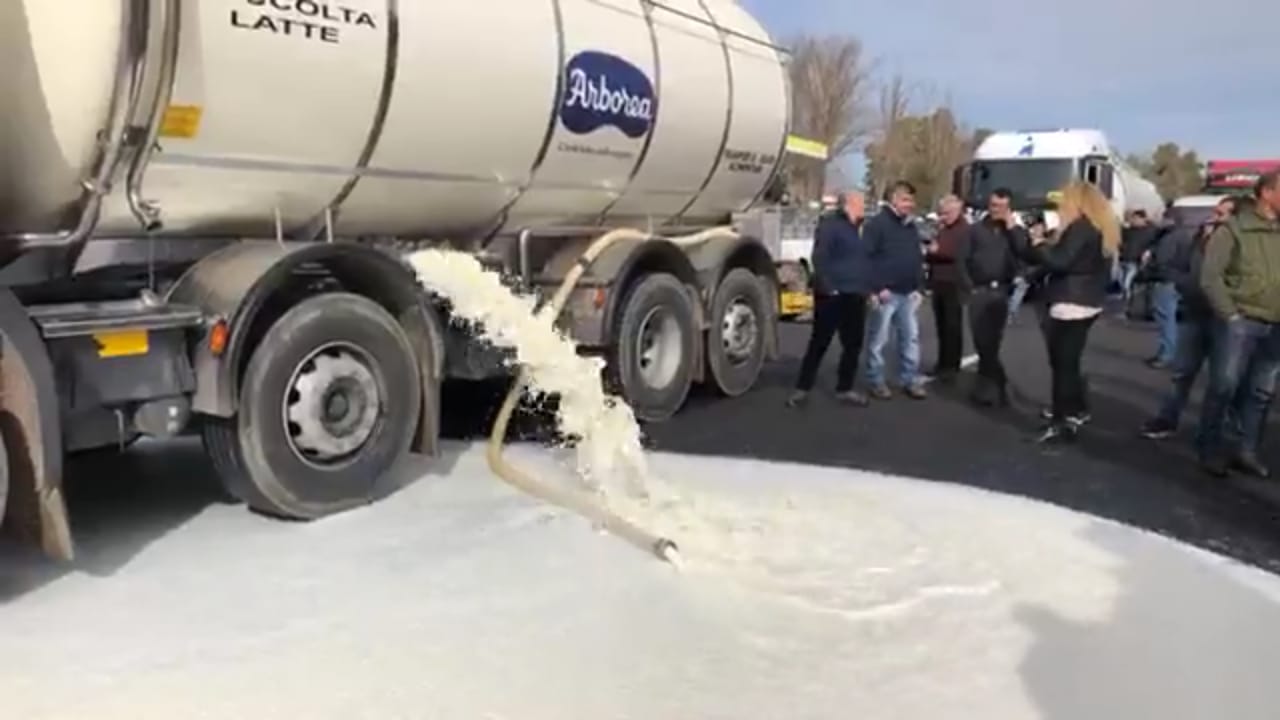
(313, 368)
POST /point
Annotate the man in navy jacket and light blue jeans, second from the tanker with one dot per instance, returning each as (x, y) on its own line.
(898, 267)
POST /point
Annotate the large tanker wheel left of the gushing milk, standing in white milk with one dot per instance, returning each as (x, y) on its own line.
(330, 404)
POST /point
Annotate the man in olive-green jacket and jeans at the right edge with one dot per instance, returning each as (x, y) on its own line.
(1241, 279)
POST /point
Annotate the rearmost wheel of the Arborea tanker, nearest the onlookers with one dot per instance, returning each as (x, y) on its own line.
(735, 341)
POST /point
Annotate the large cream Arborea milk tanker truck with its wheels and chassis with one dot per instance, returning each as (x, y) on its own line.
(205, 208)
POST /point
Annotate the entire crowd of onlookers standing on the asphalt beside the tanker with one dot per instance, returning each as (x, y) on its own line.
(1214, 291)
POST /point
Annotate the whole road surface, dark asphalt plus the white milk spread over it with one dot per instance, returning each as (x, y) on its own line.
(812, 593)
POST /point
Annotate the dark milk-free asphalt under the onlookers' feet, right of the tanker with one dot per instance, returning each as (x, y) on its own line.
(1112, 472)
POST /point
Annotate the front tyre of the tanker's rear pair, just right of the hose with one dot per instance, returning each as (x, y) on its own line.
(656, 349)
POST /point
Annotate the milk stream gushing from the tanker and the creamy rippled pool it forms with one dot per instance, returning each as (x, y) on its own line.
(812, 550)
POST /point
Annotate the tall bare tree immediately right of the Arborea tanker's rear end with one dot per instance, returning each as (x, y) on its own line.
(830, 80)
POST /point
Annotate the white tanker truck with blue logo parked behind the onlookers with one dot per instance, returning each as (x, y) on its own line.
(1034, 165)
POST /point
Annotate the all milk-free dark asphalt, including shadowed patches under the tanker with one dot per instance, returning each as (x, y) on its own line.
(125, 504)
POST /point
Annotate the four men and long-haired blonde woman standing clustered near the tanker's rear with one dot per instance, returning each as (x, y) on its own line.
(870, 276)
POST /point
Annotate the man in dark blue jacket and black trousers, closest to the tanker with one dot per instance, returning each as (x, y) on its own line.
(842, 281)
